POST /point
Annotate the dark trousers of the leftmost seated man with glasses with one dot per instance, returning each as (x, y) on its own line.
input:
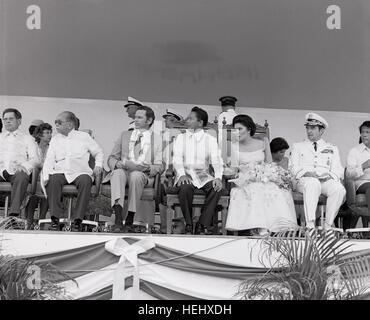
(19, 182)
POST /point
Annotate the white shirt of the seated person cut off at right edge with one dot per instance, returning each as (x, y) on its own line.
(356, 157)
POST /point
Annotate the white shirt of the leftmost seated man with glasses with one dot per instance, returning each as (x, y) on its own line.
(17, 148)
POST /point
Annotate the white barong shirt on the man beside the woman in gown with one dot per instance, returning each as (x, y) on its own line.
(192, 155)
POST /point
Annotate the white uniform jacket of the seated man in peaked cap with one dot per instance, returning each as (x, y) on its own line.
(325, 160)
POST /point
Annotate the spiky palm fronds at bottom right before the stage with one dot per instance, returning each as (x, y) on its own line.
(299, 268)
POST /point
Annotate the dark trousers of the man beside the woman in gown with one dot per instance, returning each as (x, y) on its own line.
(186, 195)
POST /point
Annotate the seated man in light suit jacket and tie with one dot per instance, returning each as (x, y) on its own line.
(135, 160)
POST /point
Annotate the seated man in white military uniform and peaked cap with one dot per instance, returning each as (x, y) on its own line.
(318, 170)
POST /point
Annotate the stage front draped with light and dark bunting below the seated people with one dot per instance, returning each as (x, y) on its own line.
(173, 267)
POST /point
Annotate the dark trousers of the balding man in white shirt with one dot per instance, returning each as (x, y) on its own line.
(54, 191)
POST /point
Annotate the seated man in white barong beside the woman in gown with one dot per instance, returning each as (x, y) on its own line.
(193, 152)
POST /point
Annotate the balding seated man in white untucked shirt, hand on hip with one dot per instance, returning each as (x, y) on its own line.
(67, 162)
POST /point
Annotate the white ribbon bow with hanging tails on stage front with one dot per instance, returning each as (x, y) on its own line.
(127, 265)
